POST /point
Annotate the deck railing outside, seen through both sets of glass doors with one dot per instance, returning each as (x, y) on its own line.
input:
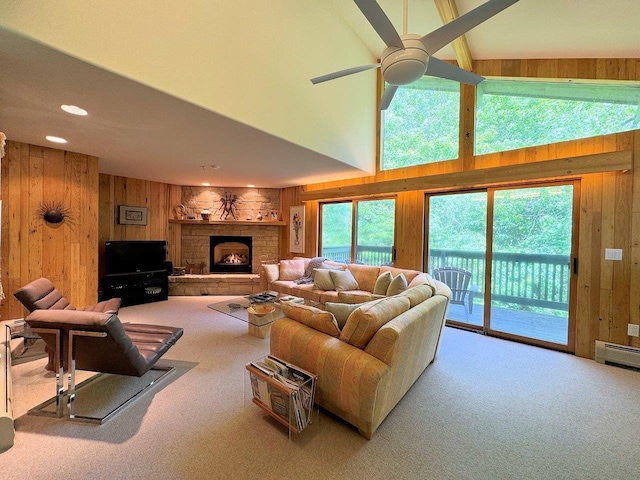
(525, 279)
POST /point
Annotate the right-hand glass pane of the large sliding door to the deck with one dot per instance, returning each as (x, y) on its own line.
(531, 267)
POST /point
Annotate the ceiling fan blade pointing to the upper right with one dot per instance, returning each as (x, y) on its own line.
(446, 34)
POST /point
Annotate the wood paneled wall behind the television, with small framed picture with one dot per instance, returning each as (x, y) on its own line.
(158, 198)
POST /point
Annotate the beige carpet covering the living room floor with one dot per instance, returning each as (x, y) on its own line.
(486, 409)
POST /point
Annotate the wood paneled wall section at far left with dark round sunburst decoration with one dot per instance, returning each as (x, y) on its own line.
(66, 253)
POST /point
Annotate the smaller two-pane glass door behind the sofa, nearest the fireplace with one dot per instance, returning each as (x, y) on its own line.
(373, 235)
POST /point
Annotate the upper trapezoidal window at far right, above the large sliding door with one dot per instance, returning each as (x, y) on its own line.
(512, 114)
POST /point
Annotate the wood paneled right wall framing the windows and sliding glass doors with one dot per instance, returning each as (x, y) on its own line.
(608, 294)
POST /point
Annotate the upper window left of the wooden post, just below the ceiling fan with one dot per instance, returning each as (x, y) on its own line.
(421, 125)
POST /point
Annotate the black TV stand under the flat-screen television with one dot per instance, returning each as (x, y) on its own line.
(137, 287)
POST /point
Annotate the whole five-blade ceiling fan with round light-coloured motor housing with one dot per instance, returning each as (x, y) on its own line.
(409, 57)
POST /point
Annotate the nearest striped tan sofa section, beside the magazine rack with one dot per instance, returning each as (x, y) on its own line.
(366, 355)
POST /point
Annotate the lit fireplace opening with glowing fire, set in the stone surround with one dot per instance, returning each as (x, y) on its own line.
(230, 254)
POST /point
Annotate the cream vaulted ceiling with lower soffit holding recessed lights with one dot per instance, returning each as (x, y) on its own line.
(173, 86)
